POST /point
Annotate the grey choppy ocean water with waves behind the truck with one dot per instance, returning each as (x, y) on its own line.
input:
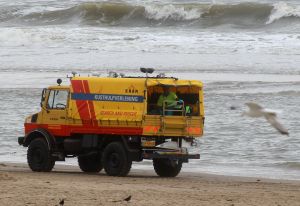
(242, 50)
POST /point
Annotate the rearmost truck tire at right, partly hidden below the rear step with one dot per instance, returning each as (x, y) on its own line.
(167, 167)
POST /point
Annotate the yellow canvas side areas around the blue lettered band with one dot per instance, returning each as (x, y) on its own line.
(109, 110)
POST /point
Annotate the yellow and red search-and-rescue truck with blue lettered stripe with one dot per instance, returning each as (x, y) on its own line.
(109, 122)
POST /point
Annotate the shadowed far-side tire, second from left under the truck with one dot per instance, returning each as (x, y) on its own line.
(90, 163)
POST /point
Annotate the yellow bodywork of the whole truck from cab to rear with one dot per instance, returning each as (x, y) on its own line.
(127, 114)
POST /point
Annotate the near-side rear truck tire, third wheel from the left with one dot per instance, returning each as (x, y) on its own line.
(115, 160)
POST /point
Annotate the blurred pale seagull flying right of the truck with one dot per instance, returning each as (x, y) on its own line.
(255, 110)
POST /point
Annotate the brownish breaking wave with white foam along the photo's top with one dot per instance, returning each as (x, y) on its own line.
(124, 14)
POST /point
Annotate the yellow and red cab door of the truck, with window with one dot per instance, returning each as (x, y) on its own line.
(56, 111)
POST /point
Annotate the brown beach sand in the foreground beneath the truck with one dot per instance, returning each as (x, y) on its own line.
(20, 186)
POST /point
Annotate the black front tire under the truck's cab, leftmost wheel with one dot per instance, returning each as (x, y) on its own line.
(39, 157)
